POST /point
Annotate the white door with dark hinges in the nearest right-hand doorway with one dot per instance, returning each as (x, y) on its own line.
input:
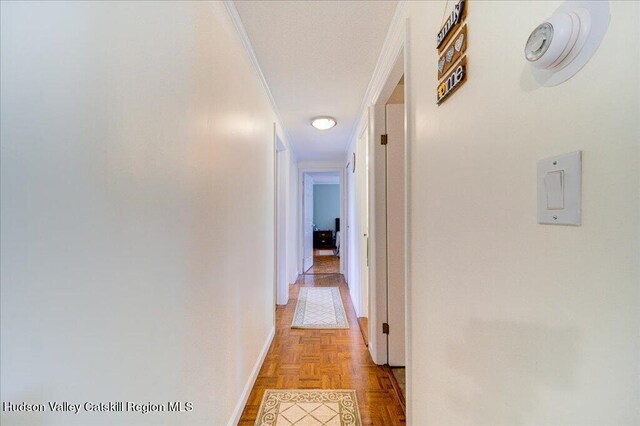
(395, 234)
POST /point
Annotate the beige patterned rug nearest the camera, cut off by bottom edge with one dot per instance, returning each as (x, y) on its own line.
(308, 408)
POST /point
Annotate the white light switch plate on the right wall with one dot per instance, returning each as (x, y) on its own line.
(571, 166)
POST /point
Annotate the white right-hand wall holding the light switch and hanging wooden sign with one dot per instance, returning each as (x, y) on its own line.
(515, 322)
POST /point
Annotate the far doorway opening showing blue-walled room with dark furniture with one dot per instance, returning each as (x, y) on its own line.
(321, 218)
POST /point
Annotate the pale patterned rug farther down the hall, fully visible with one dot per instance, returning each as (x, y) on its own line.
(319, 307)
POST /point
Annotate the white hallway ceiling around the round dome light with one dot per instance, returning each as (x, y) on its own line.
(317, 58)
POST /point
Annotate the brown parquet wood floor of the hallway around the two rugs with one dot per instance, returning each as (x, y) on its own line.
(325, 359)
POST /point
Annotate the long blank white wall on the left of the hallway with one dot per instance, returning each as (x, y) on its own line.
(137, 200)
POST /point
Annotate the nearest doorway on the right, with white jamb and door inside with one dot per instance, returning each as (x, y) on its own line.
(388, 236)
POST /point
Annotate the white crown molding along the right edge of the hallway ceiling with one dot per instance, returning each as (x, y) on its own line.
(391, 48)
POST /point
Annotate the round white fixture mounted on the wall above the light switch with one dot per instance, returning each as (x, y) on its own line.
(559, 47)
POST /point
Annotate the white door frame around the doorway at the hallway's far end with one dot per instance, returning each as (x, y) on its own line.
(320, 167)
